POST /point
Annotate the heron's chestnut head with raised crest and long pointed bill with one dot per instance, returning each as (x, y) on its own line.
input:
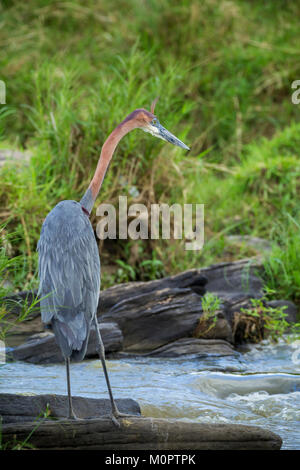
(148, 122)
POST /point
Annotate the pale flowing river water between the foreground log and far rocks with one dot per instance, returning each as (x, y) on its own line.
(258, 387)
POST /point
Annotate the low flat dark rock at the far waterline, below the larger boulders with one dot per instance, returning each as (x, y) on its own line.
(201, 347)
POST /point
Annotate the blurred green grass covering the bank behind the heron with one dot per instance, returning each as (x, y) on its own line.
(223, 71)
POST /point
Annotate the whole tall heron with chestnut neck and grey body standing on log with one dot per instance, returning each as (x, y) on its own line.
(69, 264)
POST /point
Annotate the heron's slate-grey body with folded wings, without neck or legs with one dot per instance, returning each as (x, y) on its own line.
(69, 271)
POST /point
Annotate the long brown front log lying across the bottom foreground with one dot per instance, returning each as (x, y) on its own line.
(139, 434)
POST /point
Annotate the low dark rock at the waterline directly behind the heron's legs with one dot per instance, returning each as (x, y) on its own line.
(42, 348)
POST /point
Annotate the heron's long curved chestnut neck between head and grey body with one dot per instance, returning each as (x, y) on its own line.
(106, 154)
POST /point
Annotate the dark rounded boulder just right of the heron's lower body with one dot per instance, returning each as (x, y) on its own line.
(150, 320)
